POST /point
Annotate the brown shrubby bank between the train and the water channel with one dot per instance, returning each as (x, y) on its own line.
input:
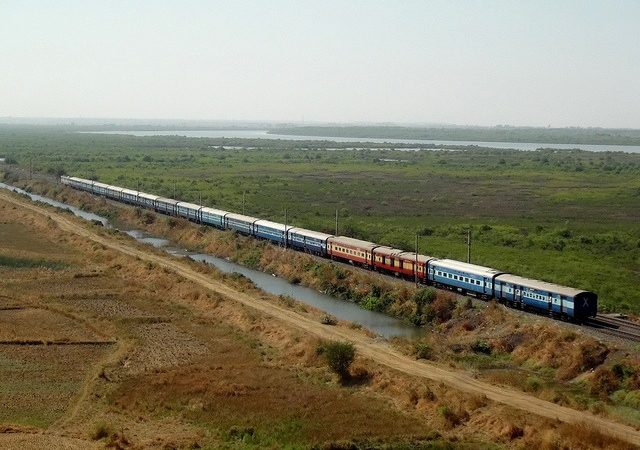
(371, 291)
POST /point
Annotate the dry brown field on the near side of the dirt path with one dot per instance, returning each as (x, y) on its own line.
(181, 365)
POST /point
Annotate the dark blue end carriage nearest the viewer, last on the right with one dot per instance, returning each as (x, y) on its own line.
(542, 296)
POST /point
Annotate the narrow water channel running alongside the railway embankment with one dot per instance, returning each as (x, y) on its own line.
(379, 323)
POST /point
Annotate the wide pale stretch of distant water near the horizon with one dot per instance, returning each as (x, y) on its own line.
(263, 134)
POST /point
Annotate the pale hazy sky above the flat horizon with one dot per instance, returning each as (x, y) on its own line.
(556, 63)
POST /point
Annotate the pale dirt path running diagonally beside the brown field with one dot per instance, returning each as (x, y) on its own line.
(378, 351)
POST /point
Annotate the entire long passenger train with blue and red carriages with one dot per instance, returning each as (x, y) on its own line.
(467, 279)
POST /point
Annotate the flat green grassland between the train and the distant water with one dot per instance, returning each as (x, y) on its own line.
(570, 217)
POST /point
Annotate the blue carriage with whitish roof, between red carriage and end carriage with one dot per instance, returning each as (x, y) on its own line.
(463, 277)
